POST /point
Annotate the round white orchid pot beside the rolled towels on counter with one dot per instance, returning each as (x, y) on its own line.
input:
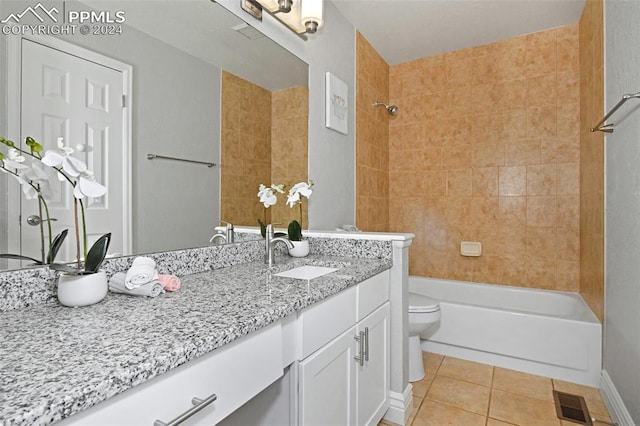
(82, 290)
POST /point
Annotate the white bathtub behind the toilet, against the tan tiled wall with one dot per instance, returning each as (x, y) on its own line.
(549, 333)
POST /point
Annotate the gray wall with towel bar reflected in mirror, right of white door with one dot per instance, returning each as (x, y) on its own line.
(176, 112)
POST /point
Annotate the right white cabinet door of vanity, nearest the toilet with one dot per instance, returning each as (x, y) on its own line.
(373, 378)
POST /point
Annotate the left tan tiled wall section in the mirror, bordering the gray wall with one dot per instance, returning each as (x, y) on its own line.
(246, 149)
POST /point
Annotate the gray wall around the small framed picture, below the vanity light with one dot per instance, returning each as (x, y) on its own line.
(331, 154)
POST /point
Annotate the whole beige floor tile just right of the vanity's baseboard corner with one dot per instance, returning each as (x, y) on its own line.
(460, 394)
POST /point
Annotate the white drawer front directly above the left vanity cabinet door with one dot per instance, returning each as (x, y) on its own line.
(322, 322)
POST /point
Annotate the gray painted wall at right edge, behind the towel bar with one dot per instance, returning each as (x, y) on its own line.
(622, 304)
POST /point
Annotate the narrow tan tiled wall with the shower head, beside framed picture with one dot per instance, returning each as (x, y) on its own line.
(372, 139)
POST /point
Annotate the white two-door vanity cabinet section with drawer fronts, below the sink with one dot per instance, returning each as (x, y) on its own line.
(344, 375)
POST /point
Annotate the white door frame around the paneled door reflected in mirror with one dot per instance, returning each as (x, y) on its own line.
(14, 125)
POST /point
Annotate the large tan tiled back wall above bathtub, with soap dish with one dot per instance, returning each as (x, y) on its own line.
(487, 148)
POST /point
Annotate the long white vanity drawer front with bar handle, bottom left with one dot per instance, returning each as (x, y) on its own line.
(235, 373)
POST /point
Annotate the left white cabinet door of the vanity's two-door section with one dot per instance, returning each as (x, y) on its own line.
(327, 383)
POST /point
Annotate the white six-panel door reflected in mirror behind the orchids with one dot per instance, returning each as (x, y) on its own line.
(81, 101)
